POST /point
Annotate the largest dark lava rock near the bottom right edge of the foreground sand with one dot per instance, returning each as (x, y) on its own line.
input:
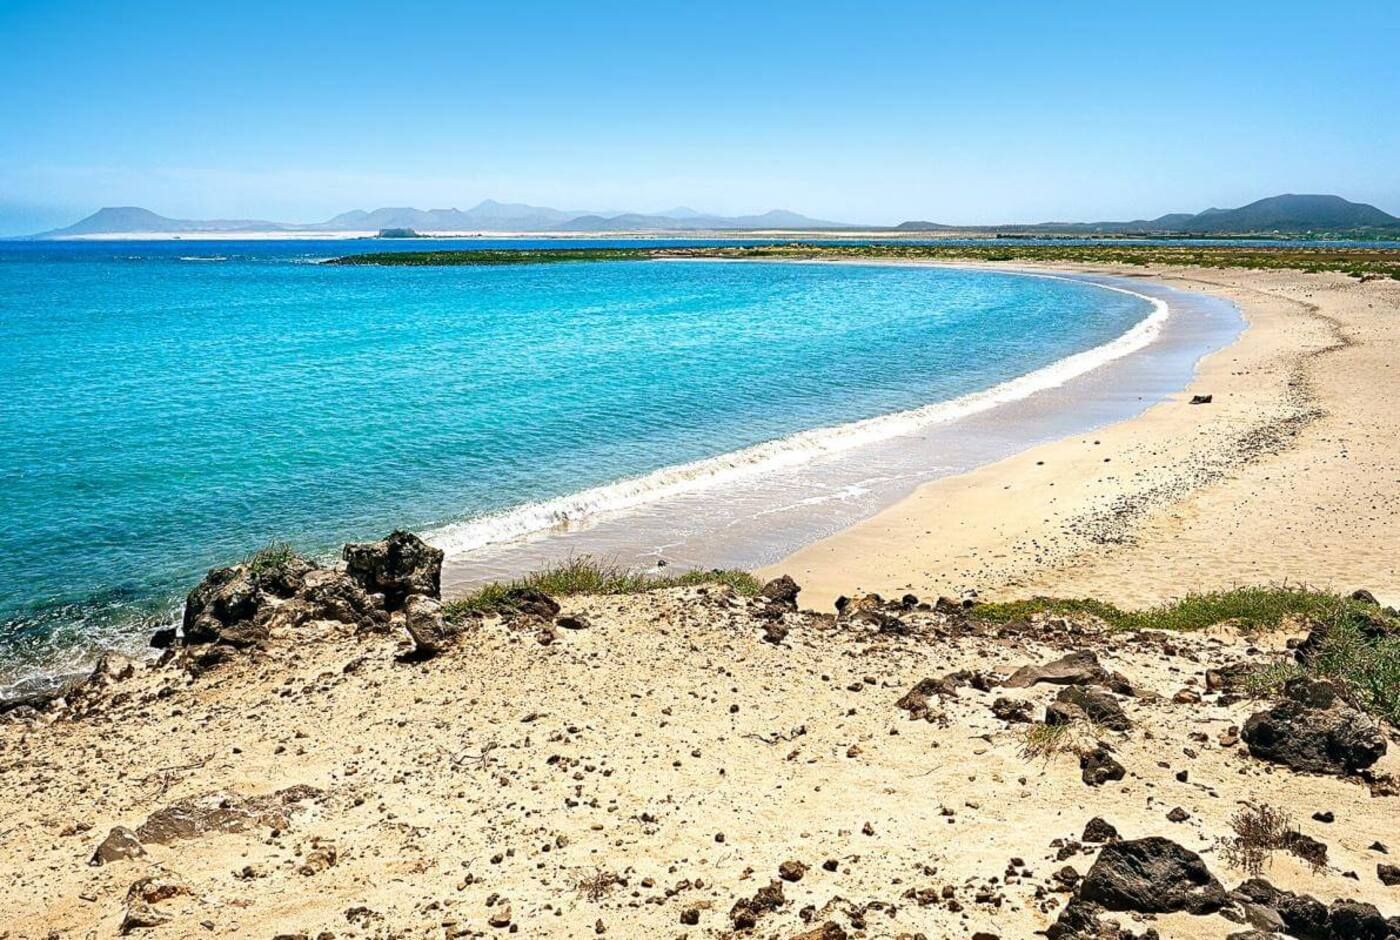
(1151, 876)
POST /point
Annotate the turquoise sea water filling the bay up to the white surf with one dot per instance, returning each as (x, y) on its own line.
(171, 407)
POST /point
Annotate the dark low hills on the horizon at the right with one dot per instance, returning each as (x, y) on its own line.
(1290, 215)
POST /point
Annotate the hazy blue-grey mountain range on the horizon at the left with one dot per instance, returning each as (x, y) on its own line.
(486, 216)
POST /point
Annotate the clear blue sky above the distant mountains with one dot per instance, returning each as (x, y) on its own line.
(870, 113)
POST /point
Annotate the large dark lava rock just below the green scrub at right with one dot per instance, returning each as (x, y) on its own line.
(1315, 732)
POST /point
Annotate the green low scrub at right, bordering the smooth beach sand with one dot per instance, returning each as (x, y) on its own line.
(1356, 642)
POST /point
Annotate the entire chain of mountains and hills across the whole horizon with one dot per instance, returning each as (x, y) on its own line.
(1289, 215)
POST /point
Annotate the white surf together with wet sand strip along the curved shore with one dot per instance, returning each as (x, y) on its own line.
(643, 520)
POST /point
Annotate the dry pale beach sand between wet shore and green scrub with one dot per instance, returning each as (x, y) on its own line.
(1290, 476)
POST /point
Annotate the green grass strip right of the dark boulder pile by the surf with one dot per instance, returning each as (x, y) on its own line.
(586, 575)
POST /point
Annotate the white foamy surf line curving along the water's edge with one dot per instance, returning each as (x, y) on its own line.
(594, 505)
